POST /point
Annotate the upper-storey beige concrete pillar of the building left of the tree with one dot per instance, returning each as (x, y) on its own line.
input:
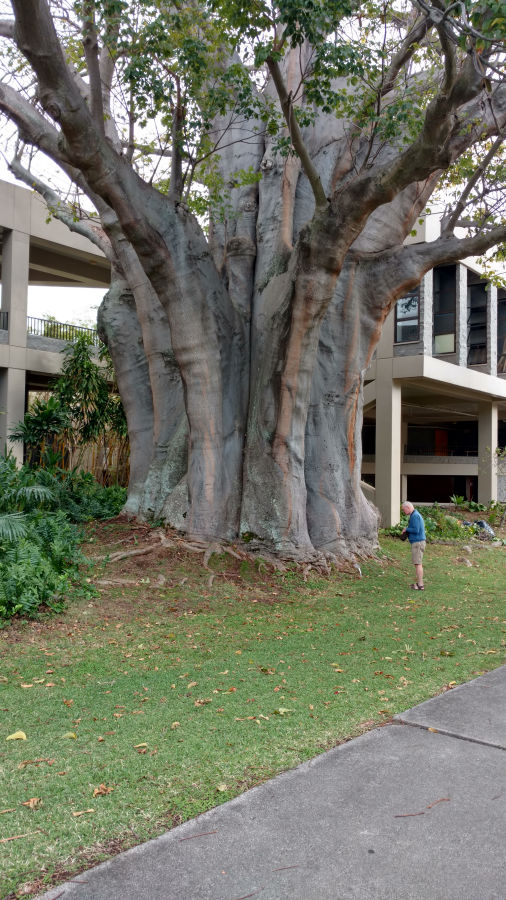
(15, 262)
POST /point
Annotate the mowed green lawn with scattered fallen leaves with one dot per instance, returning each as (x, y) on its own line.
(154, 702)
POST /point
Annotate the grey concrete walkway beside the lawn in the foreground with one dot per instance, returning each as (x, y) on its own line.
(414, 810)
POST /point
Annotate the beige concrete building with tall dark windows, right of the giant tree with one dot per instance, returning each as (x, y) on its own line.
(435, 394)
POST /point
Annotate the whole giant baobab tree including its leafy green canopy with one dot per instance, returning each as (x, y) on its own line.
(252, 172)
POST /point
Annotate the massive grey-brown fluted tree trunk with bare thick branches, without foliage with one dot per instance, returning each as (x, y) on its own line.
(240, 349)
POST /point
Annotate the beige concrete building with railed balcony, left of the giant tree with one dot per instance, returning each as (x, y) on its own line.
(34, 251)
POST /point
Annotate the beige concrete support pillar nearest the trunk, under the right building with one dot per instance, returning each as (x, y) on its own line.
(388, 444)
